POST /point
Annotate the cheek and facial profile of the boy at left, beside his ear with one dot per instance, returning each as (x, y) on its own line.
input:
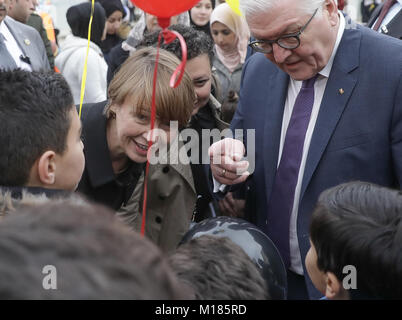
(70, 165)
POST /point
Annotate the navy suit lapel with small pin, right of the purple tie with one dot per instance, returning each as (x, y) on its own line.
(339, 88)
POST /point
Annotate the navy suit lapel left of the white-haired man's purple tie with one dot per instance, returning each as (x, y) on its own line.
(276, 95)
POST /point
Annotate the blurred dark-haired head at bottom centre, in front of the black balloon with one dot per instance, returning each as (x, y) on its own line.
(218, 269)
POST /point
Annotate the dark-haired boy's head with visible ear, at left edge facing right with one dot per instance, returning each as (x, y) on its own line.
(40, 132)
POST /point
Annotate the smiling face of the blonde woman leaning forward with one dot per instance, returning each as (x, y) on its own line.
(133, 132)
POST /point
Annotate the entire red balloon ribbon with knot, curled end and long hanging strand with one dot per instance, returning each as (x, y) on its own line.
(175, 80)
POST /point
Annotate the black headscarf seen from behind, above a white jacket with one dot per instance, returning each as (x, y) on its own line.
(78, 18)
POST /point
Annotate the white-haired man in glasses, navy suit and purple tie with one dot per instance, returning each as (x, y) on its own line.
(323, 114)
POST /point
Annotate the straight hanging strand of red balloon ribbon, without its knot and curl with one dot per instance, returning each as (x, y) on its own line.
(153, 116)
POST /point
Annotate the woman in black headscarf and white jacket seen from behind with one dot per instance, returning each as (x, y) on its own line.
(70, 61)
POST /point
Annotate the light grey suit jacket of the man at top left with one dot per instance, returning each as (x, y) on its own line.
(30, 43)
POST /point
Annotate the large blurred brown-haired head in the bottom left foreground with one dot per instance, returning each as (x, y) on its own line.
(83, 252)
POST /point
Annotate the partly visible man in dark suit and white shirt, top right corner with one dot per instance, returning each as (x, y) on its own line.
(387, 18)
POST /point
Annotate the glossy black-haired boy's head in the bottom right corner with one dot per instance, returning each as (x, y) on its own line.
(356, 242)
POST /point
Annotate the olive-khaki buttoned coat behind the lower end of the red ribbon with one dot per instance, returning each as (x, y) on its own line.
(170, 203)
